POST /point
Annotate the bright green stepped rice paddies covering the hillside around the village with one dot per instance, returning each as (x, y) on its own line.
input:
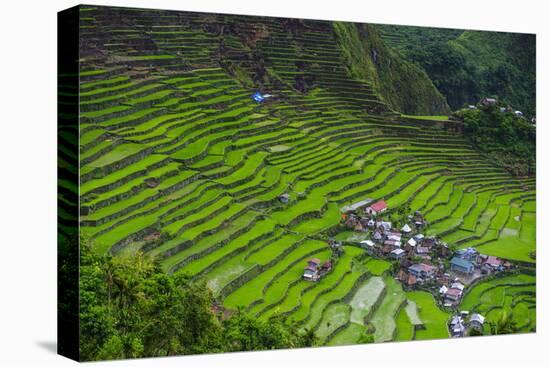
(176, 160)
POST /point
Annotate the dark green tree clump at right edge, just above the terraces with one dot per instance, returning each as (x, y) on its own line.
(508, 140)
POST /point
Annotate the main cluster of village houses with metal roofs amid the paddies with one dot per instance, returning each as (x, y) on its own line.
(424, 261)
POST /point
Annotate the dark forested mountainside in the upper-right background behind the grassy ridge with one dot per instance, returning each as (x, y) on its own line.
(466, 66)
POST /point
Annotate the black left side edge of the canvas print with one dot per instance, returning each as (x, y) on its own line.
(68, 183)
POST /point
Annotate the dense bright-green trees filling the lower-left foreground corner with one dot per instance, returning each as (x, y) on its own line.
(130, 308)
